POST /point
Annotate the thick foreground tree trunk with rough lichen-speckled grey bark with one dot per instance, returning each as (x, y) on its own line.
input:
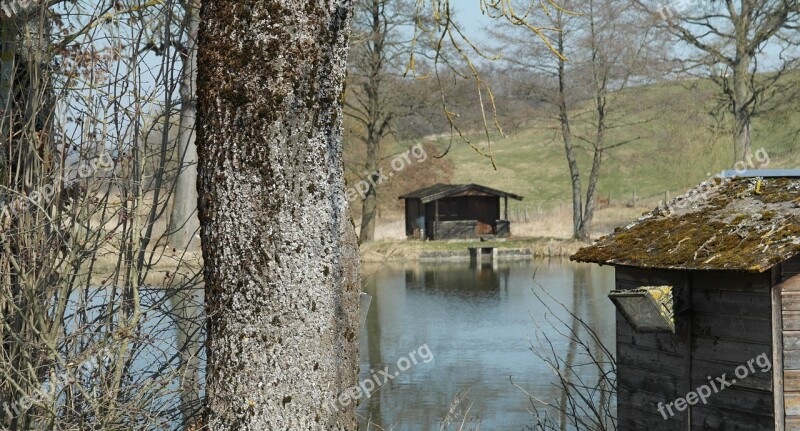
(281, 260)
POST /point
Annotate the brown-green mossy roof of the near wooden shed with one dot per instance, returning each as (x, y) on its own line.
(744, 224)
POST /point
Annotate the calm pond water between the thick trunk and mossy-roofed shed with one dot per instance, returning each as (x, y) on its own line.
(478, 324)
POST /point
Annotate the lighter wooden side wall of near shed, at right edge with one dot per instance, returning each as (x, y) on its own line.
(790, 308)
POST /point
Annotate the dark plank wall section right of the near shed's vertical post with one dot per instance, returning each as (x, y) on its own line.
(731, 325)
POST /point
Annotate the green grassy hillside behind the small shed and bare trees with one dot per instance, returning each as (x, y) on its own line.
(678, 144)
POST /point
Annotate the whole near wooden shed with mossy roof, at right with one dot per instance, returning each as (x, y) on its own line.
(727, 255)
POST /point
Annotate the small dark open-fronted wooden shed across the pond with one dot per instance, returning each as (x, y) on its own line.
(450, 211)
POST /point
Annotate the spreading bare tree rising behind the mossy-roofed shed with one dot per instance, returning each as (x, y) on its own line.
(746, 47)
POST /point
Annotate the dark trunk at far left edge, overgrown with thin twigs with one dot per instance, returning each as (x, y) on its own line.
(29, 245)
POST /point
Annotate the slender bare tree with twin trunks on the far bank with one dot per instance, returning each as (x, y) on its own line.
(603, 49)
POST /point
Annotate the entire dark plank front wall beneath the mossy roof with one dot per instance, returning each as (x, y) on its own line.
(730, 324)
